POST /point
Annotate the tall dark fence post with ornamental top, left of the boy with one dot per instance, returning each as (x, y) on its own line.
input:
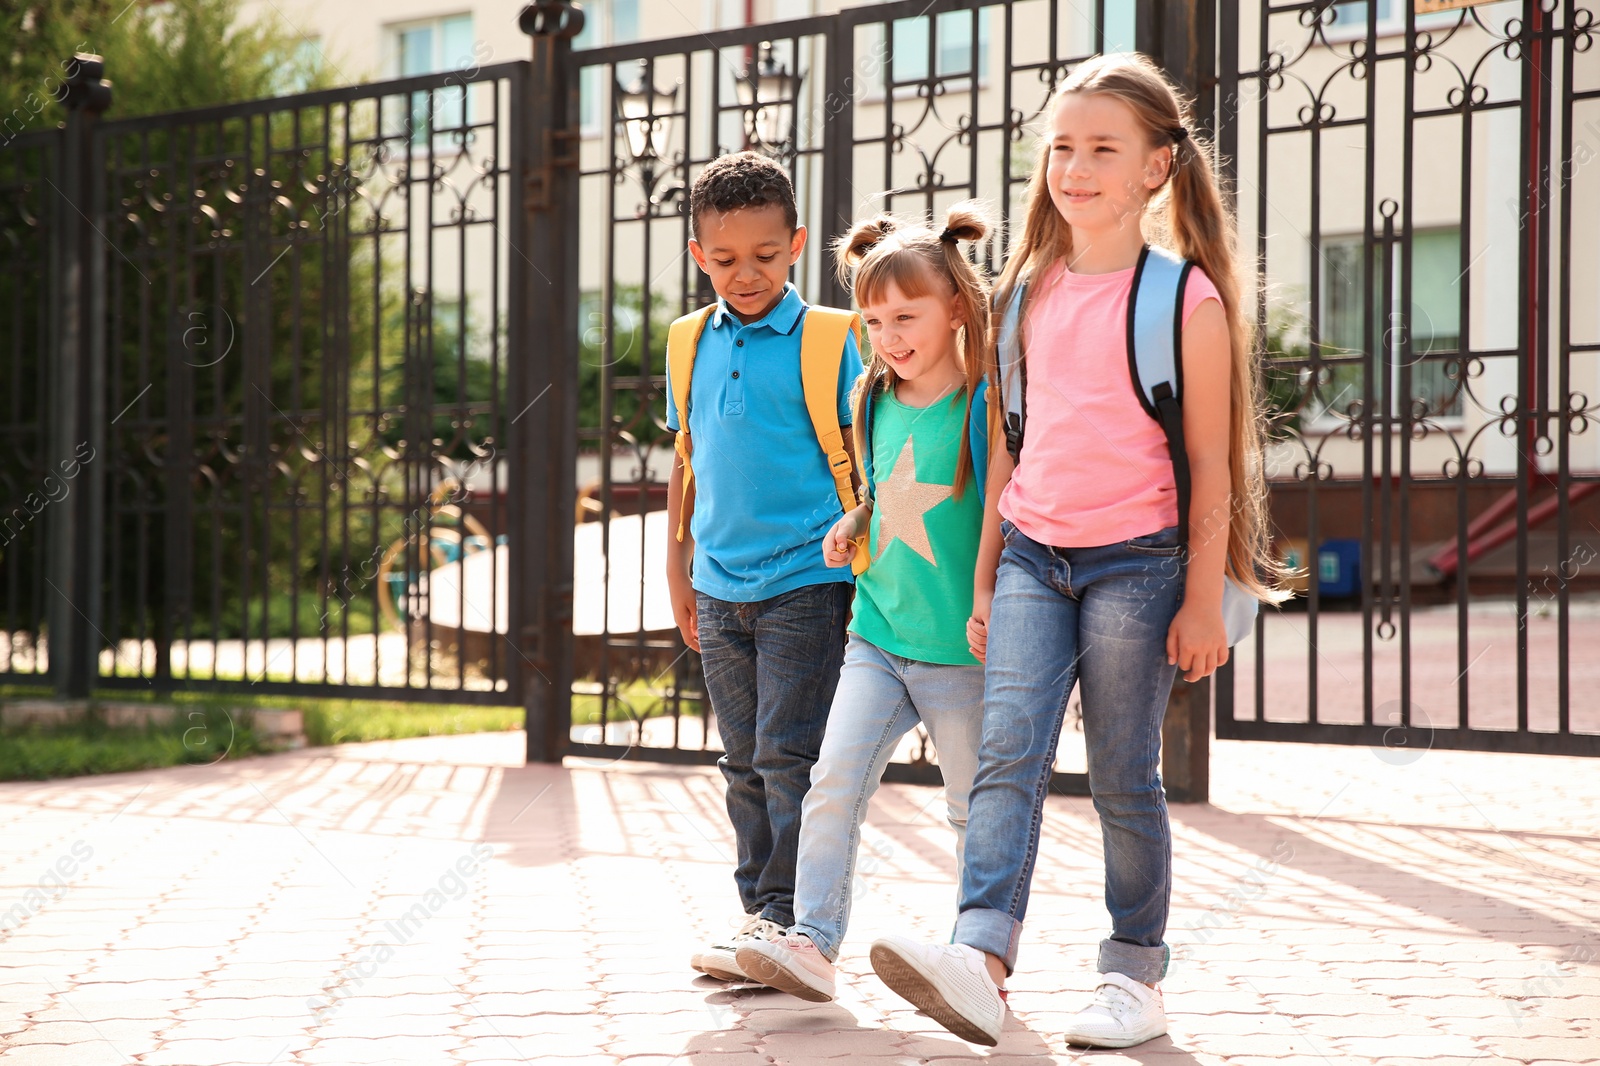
(543, 337)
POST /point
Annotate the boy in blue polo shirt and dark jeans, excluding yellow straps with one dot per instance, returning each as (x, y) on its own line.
(759, 604)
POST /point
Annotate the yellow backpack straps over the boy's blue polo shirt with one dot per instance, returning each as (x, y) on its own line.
(822, 342)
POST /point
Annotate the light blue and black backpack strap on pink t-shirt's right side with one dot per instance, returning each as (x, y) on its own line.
(1156, 343)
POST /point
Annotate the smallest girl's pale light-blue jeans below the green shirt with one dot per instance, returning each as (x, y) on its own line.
(881, 699)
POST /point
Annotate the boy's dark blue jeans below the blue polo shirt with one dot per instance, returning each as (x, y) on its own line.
(770, 671)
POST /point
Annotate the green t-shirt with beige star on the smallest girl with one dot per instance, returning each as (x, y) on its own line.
(918, 595)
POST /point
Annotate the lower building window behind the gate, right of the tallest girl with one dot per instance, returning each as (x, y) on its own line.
(1434, 323)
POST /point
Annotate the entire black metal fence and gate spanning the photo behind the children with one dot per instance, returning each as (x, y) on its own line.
(326, 393)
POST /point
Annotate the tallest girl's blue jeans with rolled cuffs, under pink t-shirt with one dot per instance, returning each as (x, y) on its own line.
(1097, 617)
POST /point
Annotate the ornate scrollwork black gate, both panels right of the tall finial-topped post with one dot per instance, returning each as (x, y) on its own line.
(1401, 460)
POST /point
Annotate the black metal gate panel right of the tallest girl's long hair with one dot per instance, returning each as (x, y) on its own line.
(1420, 194)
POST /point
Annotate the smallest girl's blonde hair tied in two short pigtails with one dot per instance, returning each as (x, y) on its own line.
(921, 262)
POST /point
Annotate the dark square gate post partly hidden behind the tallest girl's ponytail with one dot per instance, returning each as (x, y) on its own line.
(1182, 36)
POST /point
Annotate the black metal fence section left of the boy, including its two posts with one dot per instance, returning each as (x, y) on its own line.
(297, 371)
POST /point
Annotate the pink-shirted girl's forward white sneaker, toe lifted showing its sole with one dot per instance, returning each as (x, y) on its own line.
(946, 982)
